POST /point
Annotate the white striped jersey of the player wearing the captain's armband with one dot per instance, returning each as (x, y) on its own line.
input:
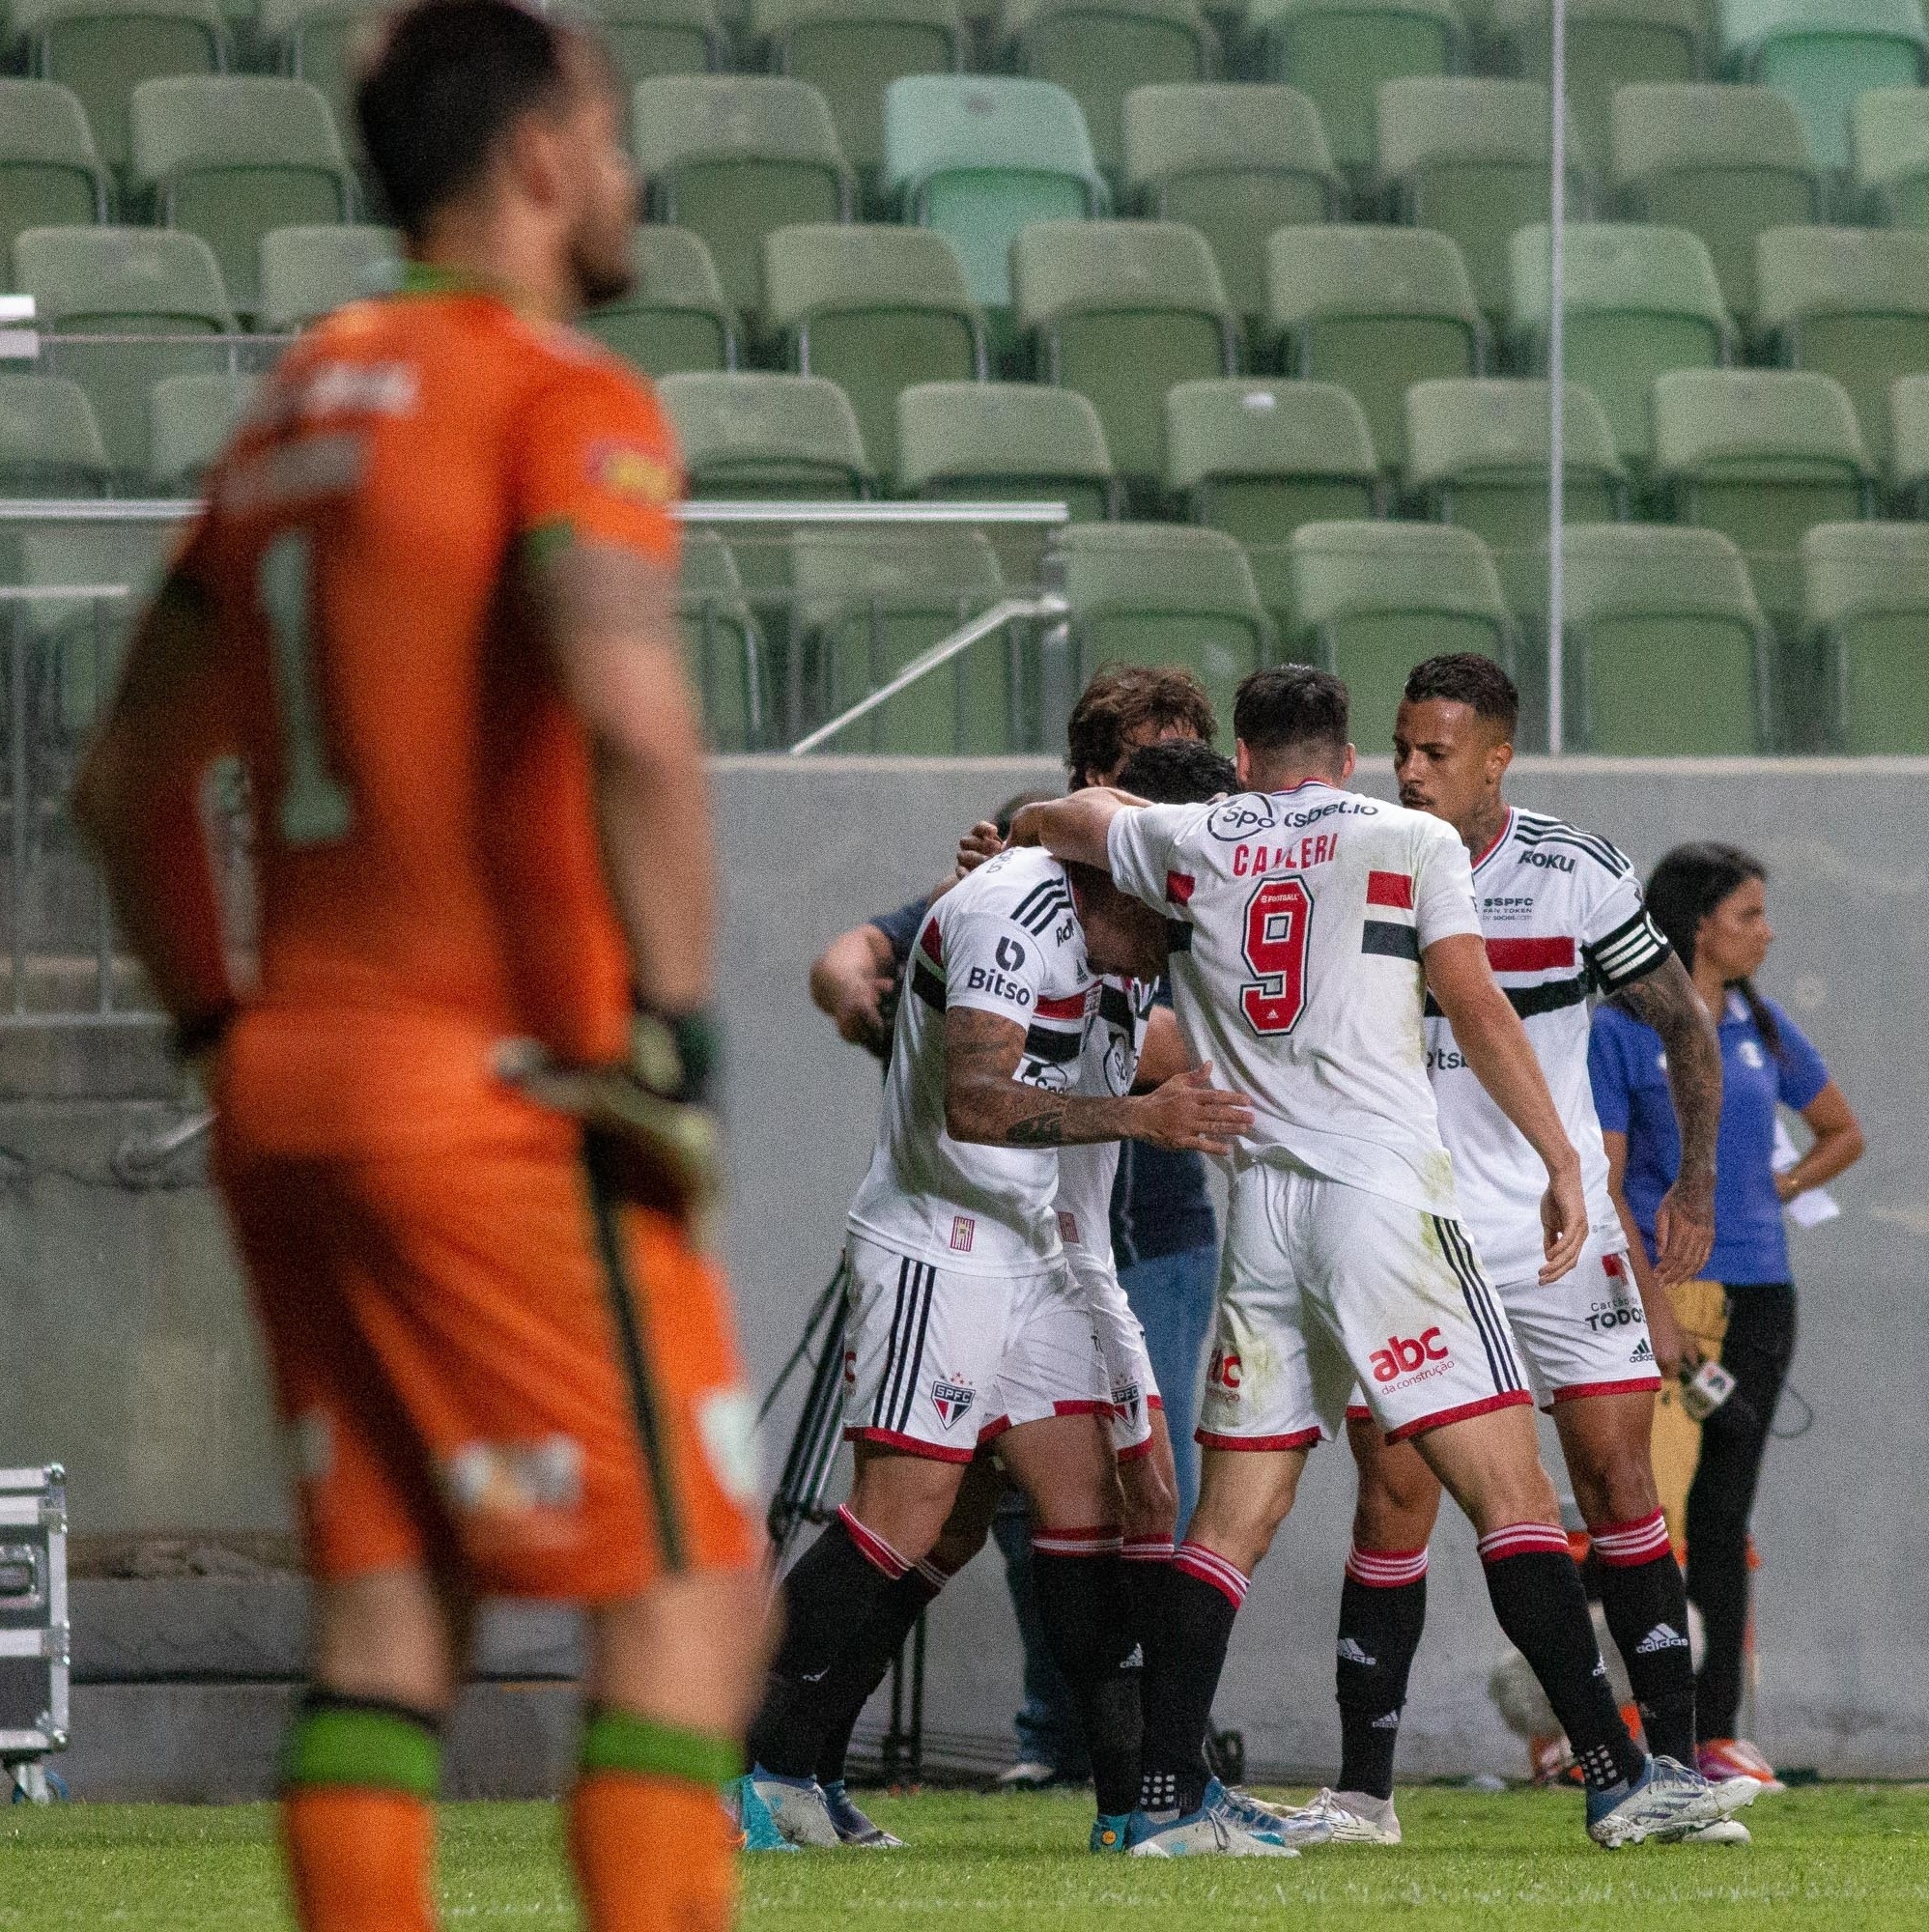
(1565, 921)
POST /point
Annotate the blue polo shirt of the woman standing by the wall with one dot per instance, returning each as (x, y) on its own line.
(1630, 1077)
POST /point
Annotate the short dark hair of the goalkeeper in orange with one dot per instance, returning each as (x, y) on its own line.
(451, 80)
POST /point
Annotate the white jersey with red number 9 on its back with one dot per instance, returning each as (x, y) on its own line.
(1296, 926)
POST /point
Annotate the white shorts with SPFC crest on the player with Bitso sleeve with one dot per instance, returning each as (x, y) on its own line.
(938, 1363)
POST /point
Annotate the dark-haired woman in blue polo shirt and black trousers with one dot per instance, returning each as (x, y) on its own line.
(1712, 903)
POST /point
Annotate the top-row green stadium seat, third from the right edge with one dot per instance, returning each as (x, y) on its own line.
(1340, 51)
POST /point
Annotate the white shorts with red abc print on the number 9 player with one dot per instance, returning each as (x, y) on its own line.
(1325, 1288)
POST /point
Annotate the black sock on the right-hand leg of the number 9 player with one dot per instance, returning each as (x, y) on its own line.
(1543, 1608)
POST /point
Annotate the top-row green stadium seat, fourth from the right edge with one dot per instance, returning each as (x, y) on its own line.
(1103, 49)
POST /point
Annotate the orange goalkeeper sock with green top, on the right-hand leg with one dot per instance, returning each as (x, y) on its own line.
(652, 1846)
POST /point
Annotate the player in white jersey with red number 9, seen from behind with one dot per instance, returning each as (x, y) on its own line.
(1308, 926)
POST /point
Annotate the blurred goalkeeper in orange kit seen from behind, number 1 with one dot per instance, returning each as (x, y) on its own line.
(430, 608)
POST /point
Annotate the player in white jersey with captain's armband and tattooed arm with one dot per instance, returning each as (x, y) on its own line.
(1565, 923)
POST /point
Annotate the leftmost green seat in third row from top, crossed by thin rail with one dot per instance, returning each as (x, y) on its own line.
(159, 293)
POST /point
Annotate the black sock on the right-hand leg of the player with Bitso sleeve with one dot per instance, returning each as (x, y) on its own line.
(1081, 1606)
